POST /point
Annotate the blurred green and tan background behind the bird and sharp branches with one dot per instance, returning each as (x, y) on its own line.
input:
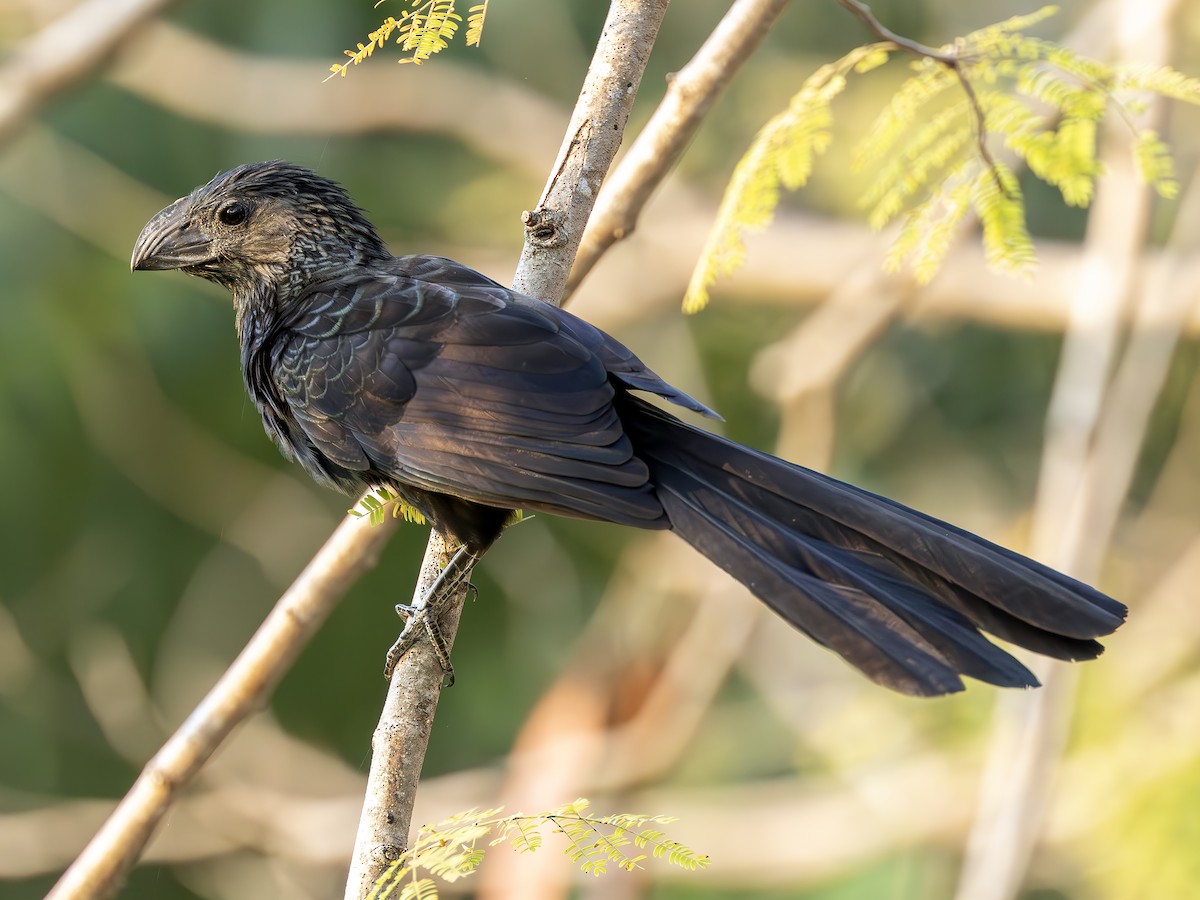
(147, 525)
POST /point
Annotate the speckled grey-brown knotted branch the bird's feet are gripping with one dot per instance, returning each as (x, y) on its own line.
(553, 236)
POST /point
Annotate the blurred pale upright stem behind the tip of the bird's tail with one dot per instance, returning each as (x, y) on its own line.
(1030, 729)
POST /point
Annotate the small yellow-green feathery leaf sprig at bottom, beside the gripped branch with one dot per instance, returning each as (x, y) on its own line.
(454, 849)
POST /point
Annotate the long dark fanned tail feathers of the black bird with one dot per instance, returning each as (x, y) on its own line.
(898, 595)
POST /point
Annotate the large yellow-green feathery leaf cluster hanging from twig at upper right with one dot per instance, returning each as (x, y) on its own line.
(932, 148)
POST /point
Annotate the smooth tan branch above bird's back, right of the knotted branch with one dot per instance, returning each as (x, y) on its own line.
(691, 95)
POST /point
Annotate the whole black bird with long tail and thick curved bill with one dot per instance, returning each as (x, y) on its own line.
(471, 400)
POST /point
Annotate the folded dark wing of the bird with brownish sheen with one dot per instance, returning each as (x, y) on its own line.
(458, 389)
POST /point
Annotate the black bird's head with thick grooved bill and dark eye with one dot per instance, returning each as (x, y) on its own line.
(263, 225)
